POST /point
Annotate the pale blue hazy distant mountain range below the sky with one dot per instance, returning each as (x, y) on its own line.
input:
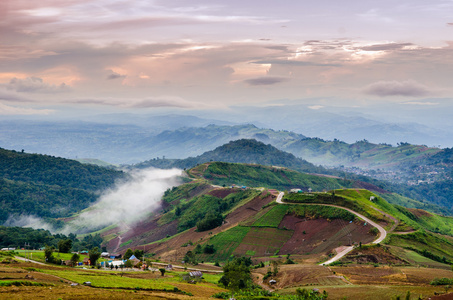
(124, 138)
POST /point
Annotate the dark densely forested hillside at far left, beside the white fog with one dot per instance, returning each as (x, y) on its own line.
(46, 186)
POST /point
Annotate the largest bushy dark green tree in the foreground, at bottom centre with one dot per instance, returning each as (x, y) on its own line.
(236, 274)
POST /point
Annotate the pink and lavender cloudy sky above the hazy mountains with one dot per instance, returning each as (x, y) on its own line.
(148, 55)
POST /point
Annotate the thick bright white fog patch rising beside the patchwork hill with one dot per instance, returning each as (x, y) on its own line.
(128, 202)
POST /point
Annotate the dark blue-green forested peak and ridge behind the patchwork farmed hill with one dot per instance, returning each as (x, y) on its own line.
(255, 152)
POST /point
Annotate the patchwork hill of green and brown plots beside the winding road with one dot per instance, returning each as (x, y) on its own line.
(252, 224)
